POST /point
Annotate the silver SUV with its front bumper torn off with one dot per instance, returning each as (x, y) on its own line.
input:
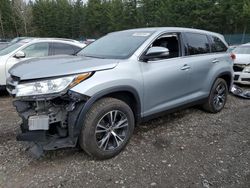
(97, 97)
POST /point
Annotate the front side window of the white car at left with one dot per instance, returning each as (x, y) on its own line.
(37, 50)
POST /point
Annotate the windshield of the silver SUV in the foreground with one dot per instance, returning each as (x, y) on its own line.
(119, 45)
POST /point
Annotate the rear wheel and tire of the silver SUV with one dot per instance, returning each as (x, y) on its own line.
(217, 97)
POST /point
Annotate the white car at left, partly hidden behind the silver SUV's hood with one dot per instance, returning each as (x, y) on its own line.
(34, 47)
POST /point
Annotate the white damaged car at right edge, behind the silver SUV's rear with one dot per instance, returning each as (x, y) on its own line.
(242, 64)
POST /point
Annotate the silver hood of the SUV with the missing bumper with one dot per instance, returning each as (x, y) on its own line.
(59, 66)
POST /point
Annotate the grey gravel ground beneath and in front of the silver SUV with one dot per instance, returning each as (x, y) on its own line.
(189, 148)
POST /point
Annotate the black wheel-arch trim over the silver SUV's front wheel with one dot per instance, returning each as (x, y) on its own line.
(99, 95)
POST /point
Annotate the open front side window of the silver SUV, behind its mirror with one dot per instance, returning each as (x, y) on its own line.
(169, 41)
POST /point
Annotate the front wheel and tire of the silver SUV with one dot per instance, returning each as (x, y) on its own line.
(98, 138)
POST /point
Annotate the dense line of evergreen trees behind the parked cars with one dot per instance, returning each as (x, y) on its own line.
(94, 18)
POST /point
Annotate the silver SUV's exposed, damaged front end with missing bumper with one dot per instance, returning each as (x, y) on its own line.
(48, 121)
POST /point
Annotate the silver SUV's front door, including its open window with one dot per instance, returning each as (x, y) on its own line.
(165, 80)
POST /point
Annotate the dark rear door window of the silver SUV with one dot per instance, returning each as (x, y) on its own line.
(197, 44)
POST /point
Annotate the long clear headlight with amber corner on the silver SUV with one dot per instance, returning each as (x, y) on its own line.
(50, 86)
